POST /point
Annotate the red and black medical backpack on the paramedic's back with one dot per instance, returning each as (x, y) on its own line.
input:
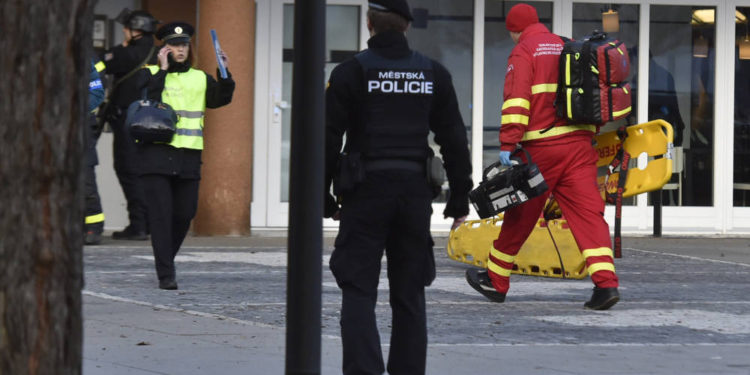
(592, 86)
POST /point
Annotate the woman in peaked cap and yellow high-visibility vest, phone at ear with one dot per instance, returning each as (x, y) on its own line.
(170, 172)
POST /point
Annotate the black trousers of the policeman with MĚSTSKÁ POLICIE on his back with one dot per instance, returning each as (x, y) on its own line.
(390, 210)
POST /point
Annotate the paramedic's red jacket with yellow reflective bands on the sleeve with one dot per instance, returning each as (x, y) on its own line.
(529, 93)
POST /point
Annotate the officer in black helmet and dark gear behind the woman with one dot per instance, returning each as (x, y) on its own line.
(122, 62)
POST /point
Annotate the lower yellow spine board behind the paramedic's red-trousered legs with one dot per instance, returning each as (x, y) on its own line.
(471, 243)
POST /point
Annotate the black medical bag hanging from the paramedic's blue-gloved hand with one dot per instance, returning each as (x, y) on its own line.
(503, 187)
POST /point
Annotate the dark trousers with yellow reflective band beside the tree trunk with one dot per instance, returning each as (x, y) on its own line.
(93, 209)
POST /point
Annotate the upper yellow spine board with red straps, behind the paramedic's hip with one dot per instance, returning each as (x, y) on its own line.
(654, 138)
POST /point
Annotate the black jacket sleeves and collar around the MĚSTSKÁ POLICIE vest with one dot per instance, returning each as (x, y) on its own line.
(344, 96)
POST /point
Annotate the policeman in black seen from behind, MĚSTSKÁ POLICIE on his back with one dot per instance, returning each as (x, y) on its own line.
(387, 99)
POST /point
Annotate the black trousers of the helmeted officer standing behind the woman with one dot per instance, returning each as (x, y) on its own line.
(126, 167)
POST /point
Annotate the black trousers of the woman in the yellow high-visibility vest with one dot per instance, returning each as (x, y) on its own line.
(172, 203)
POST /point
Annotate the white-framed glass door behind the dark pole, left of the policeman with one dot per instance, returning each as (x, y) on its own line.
(345, 36)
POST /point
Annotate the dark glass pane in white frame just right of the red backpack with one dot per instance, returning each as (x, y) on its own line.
(681, 91)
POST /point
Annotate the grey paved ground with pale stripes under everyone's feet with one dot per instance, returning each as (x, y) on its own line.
(685, 309)
